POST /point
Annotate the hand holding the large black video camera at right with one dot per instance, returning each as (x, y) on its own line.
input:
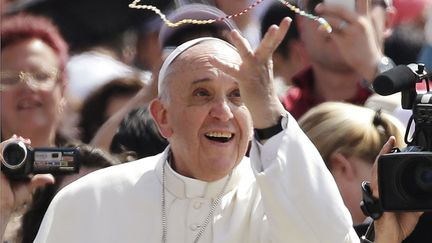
(391, 227)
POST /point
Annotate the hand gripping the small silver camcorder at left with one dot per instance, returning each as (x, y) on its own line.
(17, 193)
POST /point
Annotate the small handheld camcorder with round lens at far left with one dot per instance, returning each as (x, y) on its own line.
(21, 161)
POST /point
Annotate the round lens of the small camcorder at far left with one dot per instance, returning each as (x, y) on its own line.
(14, 154)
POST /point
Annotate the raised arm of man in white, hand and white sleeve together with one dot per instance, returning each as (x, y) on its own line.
(295, 184)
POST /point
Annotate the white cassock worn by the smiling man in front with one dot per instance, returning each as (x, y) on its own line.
(284, 193)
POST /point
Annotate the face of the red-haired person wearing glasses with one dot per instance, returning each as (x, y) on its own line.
(28, 110)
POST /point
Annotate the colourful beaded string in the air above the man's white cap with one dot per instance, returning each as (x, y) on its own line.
(324, 24)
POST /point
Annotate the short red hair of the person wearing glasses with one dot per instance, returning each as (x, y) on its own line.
(24, 26)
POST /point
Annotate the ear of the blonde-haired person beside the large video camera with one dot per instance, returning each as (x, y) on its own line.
(341, 167)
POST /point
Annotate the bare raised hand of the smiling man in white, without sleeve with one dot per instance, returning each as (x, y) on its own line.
(255, 75)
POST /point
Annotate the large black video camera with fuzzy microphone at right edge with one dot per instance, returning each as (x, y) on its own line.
(405, 175)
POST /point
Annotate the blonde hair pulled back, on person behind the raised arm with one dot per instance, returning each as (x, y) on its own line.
(350, 129)
